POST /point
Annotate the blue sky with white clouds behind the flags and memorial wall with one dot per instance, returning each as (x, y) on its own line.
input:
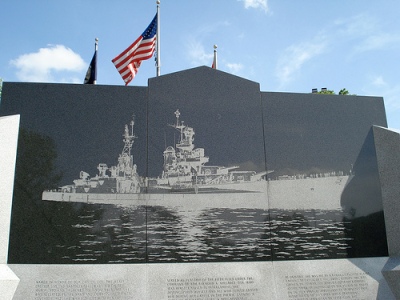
(285, 45)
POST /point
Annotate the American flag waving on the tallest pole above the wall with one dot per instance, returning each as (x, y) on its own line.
(128, 62)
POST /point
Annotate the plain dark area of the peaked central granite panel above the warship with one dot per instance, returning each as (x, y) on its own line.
(223, 109)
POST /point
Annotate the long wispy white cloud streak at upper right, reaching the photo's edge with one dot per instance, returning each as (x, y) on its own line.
(353, 35)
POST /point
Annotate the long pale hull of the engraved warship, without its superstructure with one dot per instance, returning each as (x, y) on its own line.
(310, 193)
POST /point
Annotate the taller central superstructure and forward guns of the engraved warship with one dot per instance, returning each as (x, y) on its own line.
(185, 168)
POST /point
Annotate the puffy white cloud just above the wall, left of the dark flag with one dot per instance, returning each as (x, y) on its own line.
(48, 63)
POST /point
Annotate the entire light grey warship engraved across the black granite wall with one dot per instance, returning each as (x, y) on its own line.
(185, 173)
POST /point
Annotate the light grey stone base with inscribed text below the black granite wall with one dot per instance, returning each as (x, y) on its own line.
(359, 278)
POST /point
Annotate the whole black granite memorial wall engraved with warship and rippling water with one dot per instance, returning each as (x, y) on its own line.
(321, 139)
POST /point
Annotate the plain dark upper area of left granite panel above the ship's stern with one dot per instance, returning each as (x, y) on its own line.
(86, 122)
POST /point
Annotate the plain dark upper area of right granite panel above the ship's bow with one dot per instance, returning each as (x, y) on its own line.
(313, 133)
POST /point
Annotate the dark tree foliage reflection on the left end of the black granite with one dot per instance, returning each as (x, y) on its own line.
(32, 232)
